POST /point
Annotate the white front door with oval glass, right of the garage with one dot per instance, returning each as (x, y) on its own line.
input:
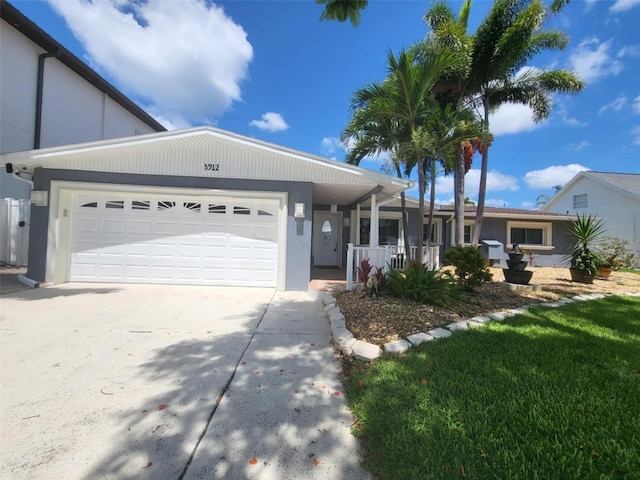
(327, 239)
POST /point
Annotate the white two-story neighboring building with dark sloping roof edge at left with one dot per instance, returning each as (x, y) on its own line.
(49, 97)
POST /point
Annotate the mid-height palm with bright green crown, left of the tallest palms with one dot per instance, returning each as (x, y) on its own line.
(404, 100)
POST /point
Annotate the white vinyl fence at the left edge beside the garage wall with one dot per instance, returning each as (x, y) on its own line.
(14, 231)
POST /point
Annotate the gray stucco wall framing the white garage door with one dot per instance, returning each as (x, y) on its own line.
(298, 231)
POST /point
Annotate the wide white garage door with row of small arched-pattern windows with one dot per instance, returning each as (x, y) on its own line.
(174, 239)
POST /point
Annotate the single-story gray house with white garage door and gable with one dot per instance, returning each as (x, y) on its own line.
(210, 207)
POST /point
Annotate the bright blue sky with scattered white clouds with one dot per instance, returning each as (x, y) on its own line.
(271, 70)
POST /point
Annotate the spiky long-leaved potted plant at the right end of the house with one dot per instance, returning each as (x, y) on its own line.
(584, 258)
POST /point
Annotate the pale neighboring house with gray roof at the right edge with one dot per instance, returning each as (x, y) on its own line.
(614, 197)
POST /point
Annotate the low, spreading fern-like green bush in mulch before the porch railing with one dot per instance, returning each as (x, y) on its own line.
(416, 282)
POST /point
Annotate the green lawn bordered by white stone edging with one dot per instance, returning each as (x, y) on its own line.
(550, 394)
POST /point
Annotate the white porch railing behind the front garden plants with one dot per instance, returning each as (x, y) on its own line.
(386, 256)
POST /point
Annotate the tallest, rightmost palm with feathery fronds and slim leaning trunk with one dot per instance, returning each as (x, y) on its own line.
(495, 80)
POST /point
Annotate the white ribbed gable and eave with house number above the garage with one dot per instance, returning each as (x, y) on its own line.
(188, 152)
